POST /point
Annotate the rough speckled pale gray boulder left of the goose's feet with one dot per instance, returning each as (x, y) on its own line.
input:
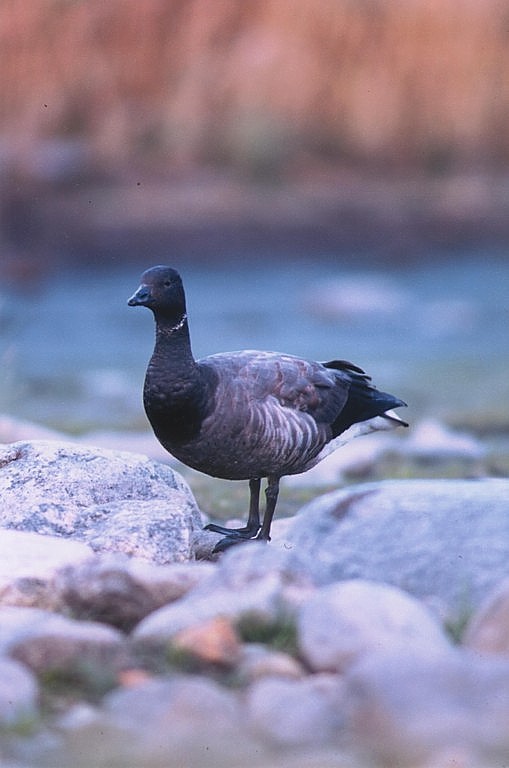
(113, 500)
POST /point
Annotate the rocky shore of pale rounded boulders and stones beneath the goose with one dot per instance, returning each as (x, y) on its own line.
(371, 631)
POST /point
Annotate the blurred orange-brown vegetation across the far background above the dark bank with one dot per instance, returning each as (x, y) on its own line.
(259, 83)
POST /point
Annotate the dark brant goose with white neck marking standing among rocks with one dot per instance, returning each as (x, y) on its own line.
(248, 415)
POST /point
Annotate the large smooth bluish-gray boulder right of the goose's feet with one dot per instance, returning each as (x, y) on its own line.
(445, 541)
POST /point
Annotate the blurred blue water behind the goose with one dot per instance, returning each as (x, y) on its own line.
(73, 354)
